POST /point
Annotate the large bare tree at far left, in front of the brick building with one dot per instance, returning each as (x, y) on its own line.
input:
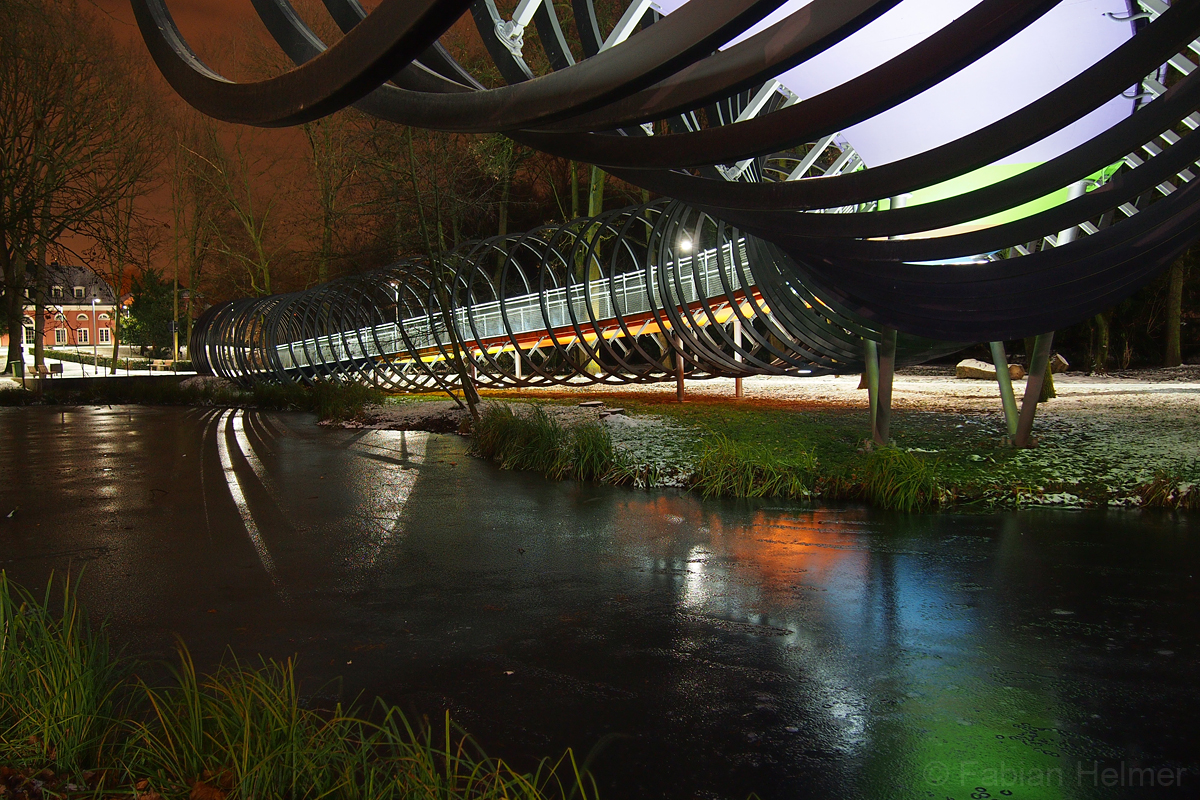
(68, 115)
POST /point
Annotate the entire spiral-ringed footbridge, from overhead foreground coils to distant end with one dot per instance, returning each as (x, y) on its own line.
(842, 170)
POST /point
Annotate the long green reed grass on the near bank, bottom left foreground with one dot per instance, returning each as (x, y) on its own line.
(69, 705)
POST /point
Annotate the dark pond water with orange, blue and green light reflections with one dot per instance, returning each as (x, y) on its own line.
(716, 648)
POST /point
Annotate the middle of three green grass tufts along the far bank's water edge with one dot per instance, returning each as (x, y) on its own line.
(748, 471)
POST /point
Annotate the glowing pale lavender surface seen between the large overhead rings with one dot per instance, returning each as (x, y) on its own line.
(1058, 47)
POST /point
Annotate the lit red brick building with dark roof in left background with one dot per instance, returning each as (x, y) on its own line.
(73, 320)
